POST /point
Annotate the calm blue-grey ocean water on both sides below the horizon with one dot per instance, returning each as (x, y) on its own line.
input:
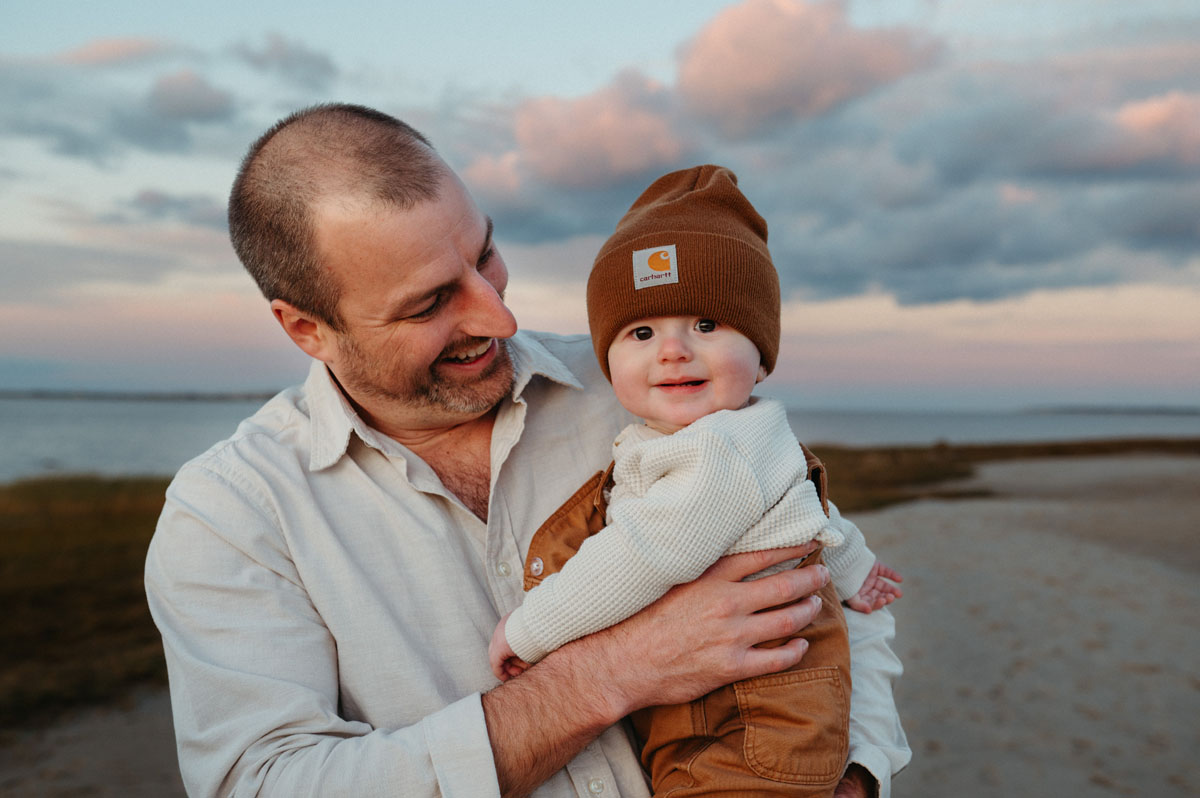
(58, 436)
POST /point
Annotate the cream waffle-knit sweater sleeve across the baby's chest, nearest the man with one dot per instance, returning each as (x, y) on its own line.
(700, 496)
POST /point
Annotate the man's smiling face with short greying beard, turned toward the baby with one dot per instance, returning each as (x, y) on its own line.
(422, 301)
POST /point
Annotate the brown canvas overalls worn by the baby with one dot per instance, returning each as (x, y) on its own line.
(779, 735)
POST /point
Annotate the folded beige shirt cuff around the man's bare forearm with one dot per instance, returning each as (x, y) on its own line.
(461, 751)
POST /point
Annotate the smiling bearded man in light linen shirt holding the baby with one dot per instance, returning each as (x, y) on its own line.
(328, 579)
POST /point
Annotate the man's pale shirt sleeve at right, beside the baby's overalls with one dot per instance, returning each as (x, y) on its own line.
(878, 740)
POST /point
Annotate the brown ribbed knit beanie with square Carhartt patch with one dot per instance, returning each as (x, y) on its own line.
(692, 245)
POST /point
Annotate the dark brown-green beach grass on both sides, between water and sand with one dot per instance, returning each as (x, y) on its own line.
(77, 632)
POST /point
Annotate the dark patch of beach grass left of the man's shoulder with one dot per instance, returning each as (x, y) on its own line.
(75, 626)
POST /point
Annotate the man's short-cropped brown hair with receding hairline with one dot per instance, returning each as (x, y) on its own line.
(321, 152)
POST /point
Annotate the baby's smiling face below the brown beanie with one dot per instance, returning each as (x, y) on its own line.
(673, 370)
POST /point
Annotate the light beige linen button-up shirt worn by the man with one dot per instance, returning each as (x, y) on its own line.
(326, 604)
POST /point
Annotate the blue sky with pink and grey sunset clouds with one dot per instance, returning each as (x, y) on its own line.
(973, 203)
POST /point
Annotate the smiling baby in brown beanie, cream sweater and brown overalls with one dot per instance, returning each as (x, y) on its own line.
(683, 304)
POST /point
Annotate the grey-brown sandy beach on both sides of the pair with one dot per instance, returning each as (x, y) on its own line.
(1048, 634)
